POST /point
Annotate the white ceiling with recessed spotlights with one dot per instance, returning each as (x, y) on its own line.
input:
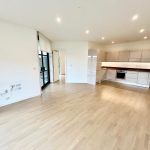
(108, 18)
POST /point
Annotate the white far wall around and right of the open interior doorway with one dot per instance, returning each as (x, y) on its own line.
(76, 60)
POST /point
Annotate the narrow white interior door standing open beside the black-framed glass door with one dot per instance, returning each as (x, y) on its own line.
(56, 65)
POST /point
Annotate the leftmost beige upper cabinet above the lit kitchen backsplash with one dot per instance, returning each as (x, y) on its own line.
(112, 56)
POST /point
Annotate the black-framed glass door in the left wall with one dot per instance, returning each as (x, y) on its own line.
(44, 68)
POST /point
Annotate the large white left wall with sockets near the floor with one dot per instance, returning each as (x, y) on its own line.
(19, 67)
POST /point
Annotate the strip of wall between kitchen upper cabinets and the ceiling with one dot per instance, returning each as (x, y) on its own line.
(128, 46)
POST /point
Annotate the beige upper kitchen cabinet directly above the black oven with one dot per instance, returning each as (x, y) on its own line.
(124, 56)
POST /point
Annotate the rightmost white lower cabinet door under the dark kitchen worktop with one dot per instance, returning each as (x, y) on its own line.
(143, 78)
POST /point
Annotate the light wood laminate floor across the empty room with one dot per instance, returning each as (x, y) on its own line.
(79, 117)
